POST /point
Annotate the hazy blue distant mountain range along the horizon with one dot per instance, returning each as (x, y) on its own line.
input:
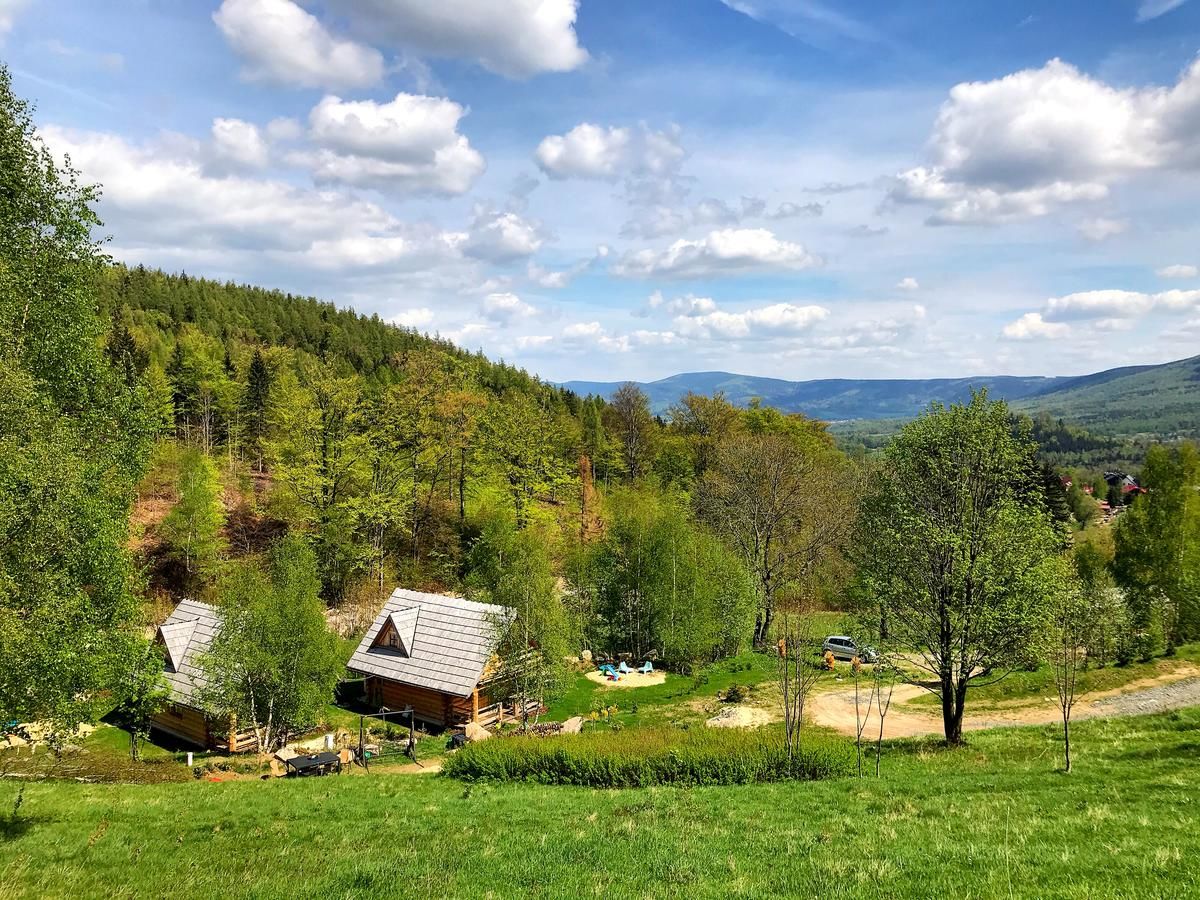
(1130, 400)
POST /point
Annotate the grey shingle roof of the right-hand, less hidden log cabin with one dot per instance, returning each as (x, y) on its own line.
(453, 643)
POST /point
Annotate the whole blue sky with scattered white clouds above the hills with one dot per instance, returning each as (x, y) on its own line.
(620, 189)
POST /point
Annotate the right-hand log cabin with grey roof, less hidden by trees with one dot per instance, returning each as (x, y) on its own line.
(436, 655)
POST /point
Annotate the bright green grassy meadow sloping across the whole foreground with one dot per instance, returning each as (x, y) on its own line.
(994, 820)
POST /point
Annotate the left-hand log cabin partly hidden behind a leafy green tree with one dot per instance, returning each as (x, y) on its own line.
(185, 637)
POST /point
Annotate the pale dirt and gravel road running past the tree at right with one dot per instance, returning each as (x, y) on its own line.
(836, 710)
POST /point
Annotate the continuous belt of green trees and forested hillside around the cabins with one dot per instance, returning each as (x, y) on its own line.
(166, 436)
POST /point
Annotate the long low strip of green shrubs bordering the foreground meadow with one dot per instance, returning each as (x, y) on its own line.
(651, 757)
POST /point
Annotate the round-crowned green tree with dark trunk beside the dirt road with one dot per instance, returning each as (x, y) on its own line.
(953, 545)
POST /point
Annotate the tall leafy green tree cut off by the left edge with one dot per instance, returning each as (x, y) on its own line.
(73, 445)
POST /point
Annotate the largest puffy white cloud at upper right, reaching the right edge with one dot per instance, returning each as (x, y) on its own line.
(1024, 145)
